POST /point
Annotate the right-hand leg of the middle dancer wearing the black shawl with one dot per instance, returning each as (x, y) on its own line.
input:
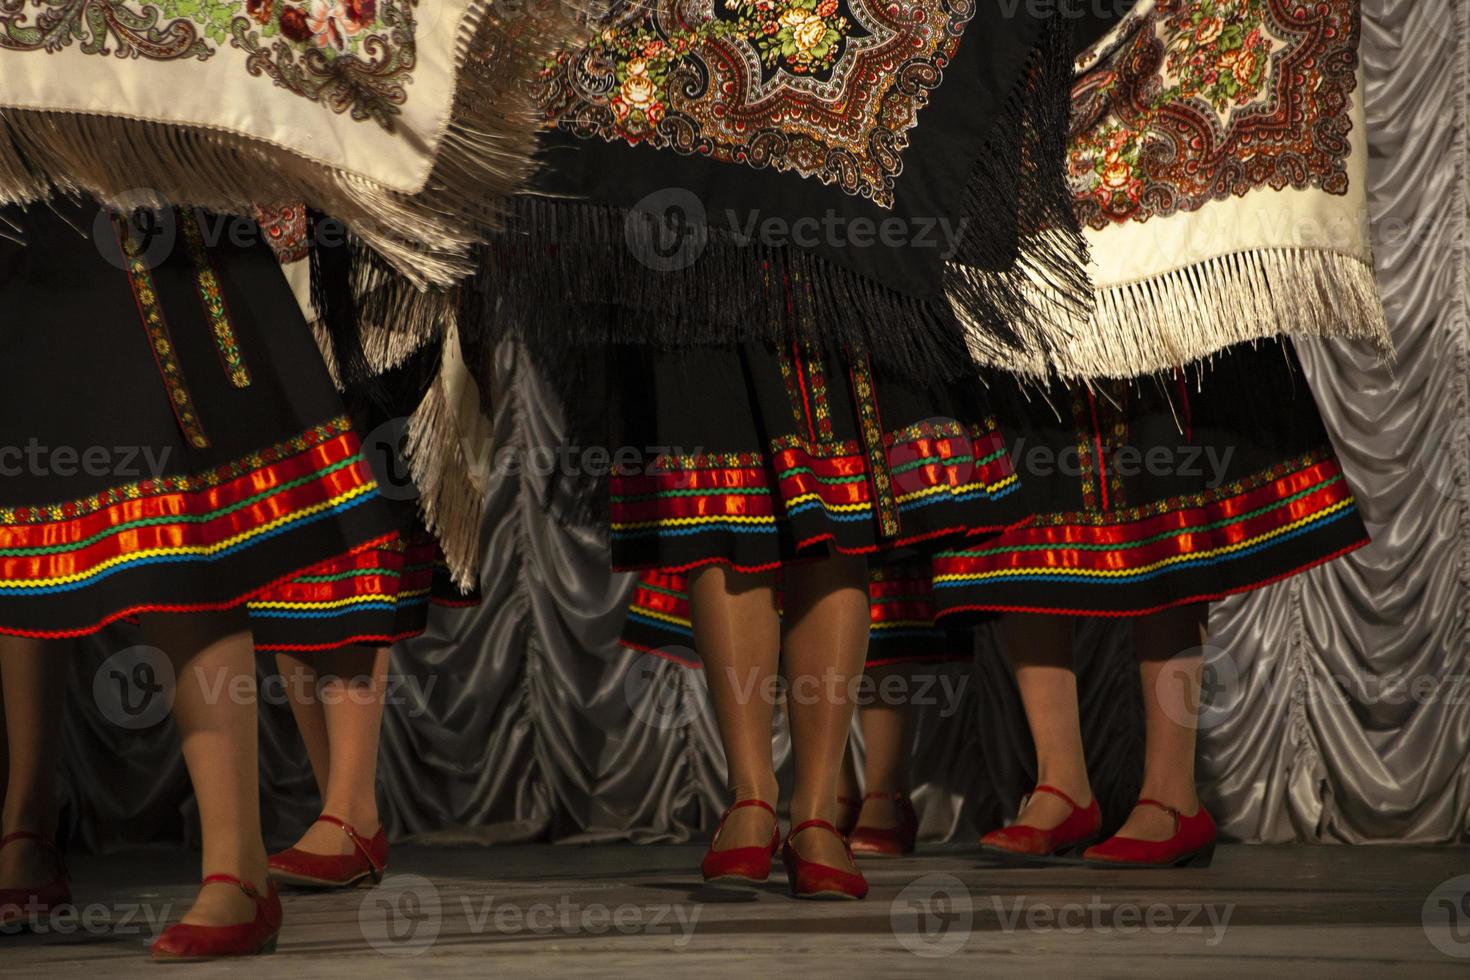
(825, 646)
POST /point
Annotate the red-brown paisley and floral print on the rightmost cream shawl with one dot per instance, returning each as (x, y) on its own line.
(1213, 99)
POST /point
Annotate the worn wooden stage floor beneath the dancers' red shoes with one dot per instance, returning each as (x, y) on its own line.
(640, 912)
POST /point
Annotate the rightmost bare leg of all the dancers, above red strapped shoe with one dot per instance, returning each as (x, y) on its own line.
(1169, 663)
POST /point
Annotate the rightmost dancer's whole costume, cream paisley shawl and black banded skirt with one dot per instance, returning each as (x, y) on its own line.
(1174, 453)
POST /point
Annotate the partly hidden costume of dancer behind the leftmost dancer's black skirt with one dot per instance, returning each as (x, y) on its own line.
(384, 594)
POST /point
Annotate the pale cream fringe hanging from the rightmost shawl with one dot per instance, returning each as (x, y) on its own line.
(1166, 323)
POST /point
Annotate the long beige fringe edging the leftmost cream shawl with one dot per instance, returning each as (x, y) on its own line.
(486, 156)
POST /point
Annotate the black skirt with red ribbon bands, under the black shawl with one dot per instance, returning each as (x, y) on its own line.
(756, 456)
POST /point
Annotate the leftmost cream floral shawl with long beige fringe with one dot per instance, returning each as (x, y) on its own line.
(406, 120)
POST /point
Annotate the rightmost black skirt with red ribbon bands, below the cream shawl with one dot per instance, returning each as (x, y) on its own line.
(1161, 493)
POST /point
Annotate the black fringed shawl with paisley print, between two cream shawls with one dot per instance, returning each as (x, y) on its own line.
(724, 171)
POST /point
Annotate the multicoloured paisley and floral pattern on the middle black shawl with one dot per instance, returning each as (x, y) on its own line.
(825, 89)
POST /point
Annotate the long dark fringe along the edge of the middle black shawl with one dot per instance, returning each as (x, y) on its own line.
(559, 259)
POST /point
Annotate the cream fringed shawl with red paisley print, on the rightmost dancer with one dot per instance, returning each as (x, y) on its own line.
(1218, 167)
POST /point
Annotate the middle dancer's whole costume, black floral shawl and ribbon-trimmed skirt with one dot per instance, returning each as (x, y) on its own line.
(784, 396)
